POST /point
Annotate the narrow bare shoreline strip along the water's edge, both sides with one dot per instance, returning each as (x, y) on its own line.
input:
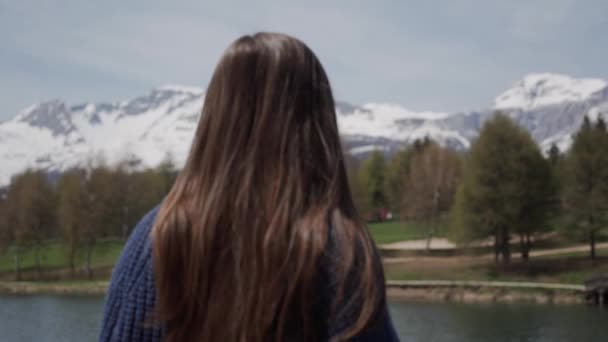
(419, 291)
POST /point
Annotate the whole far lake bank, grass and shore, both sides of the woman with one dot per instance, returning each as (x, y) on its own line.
(405, 269)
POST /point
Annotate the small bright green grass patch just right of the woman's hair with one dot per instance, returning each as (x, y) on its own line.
(394, 231)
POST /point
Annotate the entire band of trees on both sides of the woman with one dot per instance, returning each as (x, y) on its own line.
(504, 189)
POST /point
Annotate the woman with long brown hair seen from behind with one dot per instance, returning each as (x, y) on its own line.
(258, 240)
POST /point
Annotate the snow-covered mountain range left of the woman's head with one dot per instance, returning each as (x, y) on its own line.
(53, 136)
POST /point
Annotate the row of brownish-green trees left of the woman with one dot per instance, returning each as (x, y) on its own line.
(79, 208)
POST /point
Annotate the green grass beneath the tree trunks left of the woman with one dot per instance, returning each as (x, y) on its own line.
(53, 255)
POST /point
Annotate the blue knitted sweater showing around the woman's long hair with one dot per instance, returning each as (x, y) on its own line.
(129, 307)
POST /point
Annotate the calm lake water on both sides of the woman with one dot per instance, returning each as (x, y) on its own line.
(57, 318)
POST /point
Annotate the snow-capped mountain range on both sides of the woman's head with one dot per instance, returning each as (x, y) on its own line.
(54, 136)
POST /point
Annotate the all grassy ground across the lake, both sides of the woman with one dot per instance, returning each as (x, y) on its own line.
(573, 267)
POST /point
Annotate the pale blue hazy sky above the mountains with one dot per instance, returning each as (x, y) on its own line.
(449, 55)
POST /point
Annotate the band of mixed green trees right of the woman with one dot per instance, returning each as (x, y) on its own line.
(503, 189)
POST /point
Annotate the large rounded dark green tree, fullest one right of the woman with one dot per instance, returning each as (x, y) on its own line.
(507, 188)
